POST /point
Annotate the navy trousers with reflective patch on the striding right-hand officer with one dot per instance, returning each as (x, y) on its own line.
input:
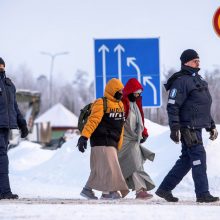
(194, 158)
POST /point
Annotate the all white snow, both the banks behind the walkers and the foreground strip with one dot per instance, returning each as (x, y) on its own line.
(37, 173)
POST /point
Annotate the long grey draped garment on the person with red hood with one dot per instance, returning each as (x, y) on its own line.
(132, 156)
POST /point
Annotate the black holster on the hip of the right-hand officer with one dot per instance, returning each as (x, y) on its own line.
(189, 137)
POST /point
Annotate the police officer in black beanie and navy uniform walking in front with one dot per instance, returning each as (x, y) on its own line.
(188, 108)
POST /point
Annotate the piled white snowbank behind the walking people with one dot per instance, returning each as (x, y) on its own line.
(62, 173)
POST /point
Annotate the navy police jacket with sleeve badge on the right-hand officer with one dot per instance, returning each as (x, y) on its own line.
(189, 101)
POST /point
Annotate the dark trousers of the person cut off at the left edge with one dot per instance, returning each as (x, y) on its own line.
(4, 179)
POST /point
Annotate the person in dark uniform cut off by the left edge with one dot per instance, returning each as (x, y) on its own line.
(10, 118)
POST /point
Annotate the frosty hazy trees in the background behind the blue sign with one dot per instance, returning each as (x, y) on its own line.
(79, 90)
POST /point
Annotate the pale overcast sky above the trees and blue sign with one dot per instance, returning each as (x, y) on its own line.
(31, 26)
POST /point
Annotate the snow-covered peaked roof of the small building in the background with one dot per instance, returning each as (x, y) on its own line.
(58, 116)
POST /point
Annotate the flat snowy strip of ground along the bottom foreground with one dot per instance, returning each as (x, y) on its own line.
(107, 212)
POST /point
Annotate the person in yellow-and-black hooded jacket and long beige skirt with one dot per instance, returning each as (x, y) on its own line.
(105, 131)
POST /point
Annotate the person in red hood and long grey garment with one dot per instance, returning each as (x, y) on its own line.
(132, 155)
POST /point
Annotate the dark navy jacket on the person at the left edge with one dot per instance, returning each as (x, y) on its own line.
(10, 116)
